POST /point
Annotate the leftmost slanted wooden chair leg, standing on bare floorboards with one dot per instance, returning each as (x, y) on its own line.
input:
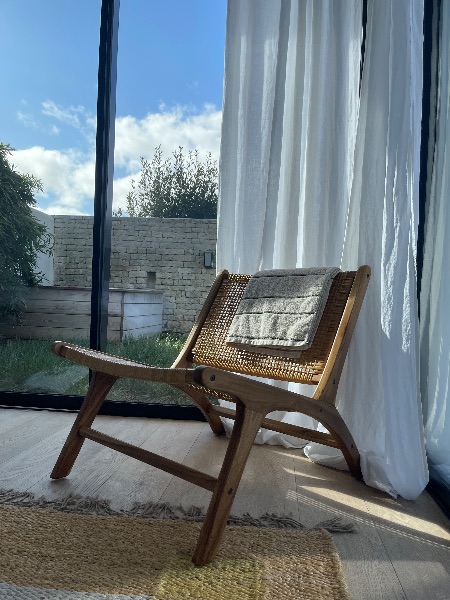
(98, 390)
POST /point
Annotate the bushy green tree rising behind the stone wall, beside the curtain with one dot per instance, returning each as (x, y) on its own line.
(177, 187)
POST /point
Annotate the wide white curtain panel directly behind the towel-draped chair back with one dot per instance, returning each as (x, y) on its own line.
(287, 140)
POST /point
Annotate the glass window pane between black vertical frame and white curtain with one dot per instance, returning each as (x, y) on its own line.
(170, 98)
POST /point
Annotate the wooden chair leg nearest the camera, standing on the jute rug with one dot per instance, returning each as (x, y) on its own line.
(244, 432)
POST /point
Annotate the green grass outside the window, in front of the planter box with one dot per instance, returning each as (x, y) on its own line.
(29, 365)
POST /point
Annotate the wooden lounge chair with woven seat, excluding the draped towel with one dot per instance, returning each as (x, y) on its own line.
(221, 373)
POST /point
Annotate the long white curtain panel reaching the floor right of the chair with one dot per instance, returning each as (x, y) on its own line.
(382, 232)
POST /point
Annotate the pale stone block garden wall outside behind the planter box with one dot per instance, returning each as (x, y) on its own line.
(147, 253)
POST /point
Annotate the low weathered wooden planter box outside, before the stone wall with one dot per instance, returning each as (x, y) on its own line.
(63, 313)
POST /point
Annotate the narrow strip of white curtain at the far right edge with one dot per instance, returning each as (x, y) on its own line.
(435, 289)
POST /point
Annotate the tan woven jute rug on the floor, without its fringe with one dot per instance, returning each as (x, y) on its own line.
(54, 554)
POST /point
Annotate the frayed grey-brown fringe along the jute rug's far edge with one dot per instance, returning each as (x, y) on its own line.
(160, 510)
